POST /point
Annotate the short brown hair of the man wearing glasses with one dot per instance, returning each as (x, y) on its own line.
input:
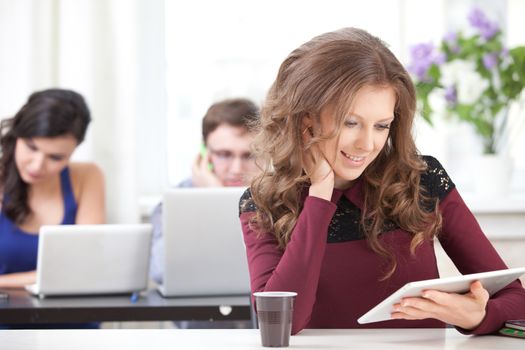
(239, 112)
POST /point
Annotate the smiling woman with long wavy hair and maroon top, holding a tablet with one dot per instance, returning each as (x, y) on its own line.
(346, 210)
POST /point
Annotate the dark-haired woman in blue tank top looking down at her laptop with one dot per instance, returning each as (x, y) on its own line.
(39, 185)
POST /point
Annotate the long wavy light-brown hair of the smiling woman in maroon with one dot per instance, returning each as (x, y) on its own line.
(329, 70)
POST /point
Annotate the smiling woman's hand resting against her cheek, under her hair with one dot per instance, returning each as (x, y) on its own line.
(318, 170)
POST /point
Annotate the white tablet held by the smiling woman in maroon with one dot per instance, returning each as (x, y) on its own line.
(492, 281)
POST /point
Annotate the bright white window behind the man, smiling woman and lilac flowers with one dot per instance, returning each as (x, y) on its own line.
(233, 48)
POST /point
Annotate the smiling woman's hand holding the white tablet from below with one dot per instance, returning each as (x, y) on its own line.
(462, 310)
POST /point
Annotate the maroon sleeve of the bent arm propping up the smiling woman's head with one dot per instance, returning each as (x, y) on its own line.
(298, 267)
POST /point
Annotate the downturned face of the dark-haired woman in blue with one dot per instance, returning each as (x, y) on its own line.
(41, 158)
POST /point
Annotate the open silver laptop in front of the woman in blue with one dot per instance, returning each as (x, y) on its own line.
(92, 259)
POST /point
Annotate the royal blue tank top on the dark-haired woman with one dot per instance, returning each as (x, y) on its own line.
(18, 249)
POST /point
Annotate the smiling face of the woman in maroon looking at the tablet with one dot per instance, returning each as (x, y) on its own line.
(363, 135)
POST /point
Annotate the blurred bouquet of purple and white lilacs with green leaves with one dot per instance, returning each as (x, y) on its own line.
(472, 78)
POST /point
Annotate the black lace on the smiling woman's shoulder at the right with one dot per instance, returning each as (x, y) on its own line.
(435, 179)
